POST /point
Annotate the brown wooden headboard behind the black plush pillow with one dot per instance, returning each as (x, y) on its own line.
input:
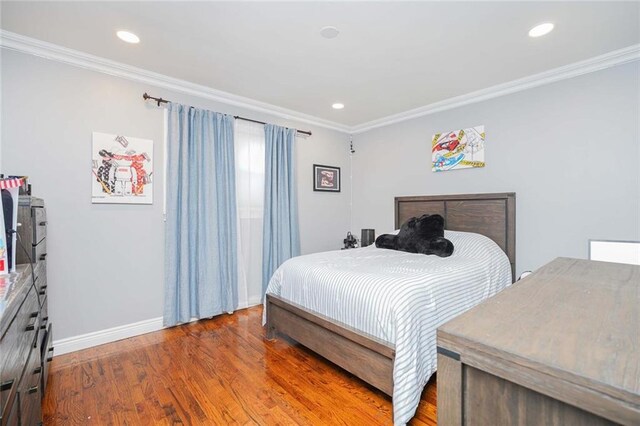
(493, 215)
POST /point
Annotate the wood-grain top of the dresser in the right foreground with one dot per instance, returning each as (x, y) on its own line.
(570, 331)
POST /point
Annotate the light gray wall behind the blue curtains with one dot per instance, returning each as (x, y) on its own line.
(105, 261)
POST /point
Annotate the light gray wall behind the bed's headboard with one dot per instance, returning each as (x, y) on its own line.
(570, 150)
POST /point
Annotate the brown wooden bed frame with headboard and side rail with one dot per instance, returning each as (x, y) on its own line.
(364, 355)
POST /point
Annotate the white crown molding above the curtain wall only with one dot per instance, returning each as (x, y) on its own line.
(20, 43)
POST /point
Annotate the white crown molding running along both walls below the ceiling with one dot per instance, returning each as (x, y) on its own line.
(20, 43)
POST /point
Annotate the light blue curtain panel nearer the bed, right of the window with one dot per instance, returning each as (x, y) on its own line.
(281, 237)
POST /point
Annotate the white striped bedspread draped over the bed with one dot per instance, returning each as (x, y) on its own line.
(398, 297)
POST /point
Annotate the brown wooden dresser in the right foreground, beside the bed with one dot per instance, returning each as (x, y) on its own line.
(560, 347)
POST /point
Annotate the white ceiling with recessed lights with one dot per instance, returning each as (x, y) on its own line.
(389, 57)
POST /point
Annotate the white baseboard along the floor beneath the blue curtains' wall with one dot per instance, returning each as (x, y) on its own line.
(96, 338)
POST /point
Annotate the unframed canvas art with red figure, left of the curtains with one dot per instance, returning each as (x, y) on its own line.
(122, 169)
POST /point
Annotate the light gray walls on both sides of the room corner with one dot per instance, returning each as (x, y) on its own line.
(570, 150)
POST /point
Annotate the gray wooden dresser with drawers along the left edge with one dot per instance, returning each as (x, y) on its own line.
(25, 331)
